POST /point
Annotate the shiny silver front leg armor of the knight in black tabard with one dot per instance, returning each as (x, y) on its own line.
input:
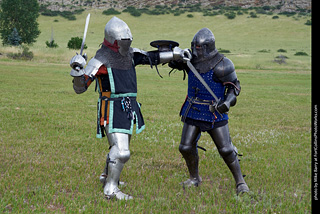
(119, 154)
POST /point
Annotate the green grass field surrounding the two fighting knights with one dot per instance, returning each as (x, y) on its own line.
(50, 160)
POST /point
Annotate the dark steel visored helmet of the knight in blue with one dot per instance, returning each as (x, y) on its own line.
(203, 44)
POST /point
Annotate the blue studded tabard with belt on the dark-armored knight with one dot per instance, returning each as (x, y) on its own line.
(196, 105)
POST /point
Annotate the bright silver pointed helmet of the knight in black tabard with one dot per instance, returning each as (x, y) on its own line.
(118, 31)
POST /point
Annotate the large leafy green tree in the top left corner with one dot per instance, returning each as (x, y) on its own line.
(22, 15)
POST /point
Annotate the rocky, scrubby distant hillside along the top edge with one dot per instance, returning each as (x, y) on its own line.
(280, 5)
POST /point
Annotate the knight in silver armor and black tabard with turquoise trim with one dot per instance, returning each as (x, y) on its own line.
(113, 68)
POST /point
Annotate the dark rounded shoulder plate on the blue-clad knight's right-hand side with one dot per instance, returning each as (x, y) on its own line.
(225, 71)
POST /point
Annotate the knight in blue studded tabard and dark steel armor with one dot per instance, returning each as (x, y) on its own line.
(201, 112)
